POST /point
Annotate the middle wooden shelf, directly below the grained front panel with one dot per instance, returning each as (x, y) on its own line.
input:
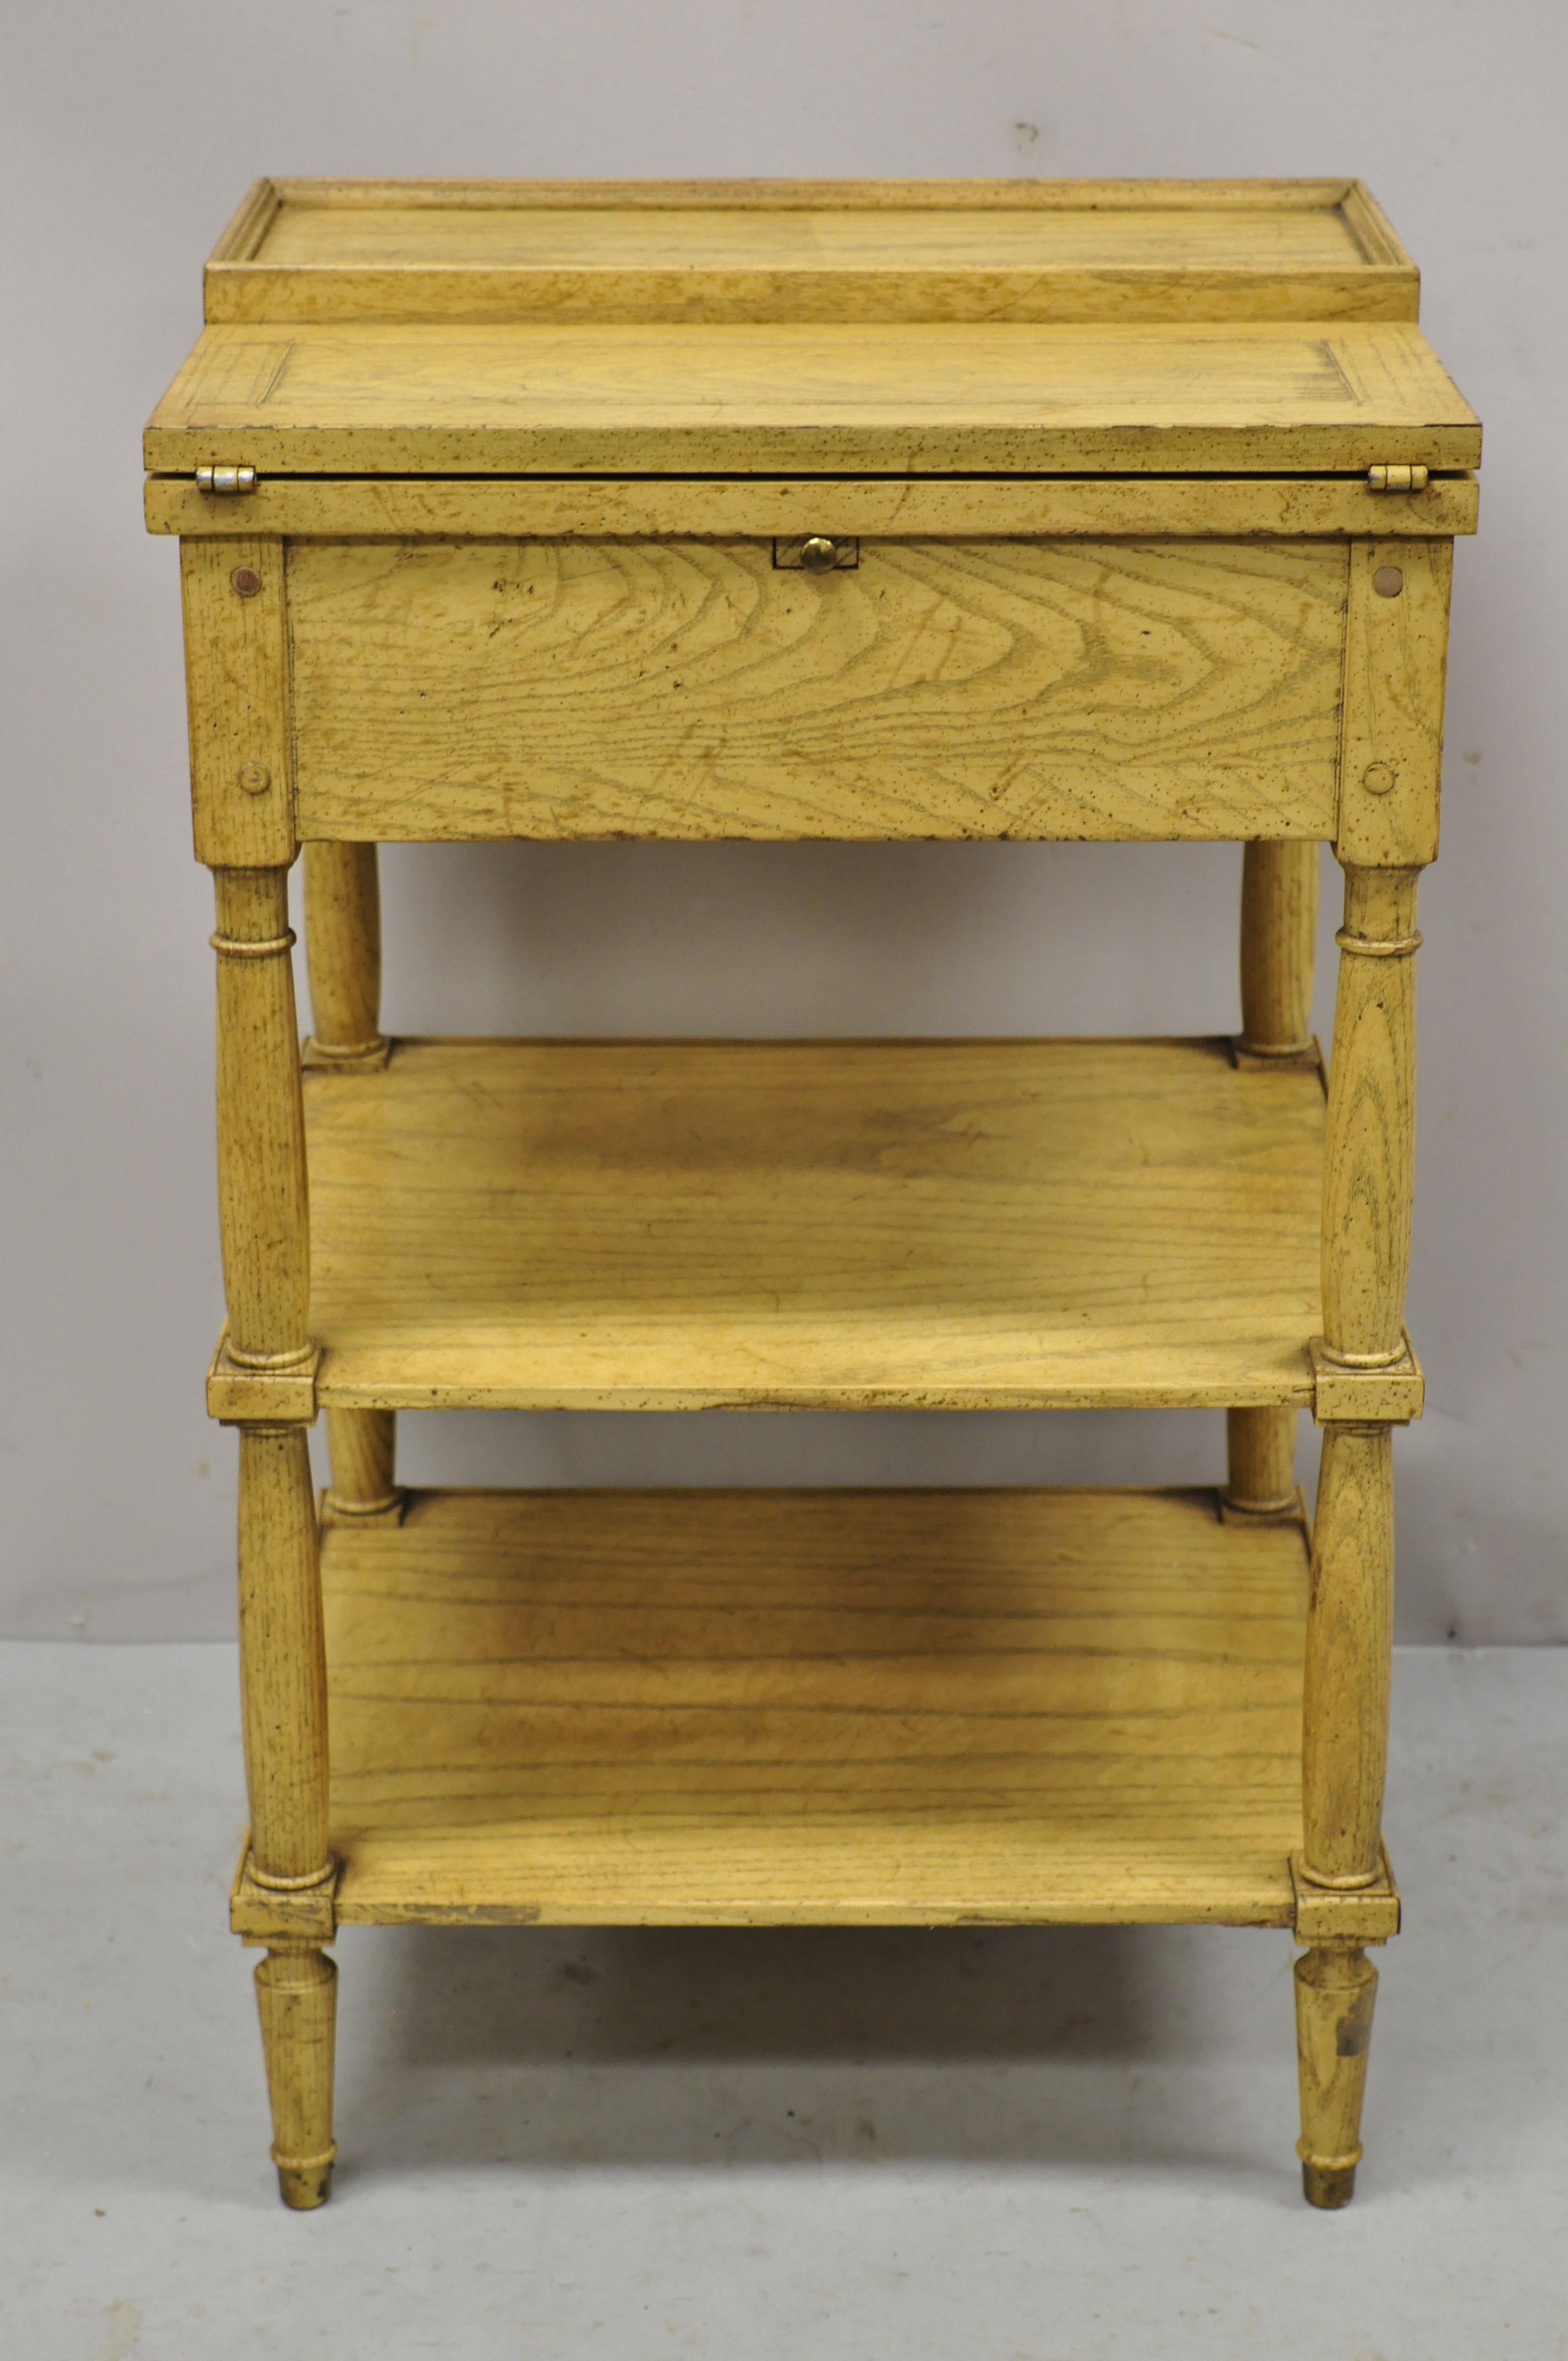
(816, 1227)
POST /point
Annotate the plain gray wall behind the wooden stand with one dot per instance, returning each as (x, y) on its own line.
(129, 138)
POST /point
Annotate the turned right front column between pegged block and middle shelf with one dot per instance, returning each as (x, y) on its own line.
(1368, 1165)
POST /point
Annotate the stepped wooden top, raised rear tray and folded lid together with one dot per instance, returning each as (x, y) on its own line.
(811, 329)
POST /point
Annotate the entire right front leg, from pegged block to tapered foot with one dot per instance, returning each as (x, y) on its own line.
(1387, 832)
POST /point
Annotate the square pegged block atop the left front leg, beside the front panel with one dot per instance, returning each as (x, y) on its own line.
(237, 700)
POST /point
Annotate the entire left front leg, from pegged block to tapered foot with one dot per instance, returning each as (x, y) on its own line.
(244, 820)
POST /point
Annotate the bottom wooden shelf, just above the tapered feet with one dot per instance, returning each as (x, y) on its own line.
(861, 1708)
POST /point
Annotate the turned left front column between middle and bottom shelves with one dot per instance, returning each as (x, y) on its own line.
(282, 1661)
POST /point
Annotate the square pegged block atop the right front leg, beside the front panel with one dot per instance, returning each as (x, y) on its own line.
(1392, 714)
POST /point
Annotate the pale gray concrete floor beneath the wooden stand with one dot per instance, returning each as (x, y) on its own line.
(981, 2147)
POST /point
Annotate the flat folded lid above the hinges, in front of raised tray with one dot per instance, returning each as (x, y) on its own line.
(549, 398)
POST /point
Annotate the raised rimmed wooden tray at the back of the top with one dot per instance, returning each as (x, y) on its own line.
(809, 251)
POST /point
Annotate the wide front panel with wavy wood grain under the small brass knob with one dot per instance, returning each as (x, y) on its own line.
(941, 688)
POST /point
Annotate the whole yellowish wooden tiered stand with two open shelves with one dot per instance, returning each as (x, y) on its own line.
(854, 511)
